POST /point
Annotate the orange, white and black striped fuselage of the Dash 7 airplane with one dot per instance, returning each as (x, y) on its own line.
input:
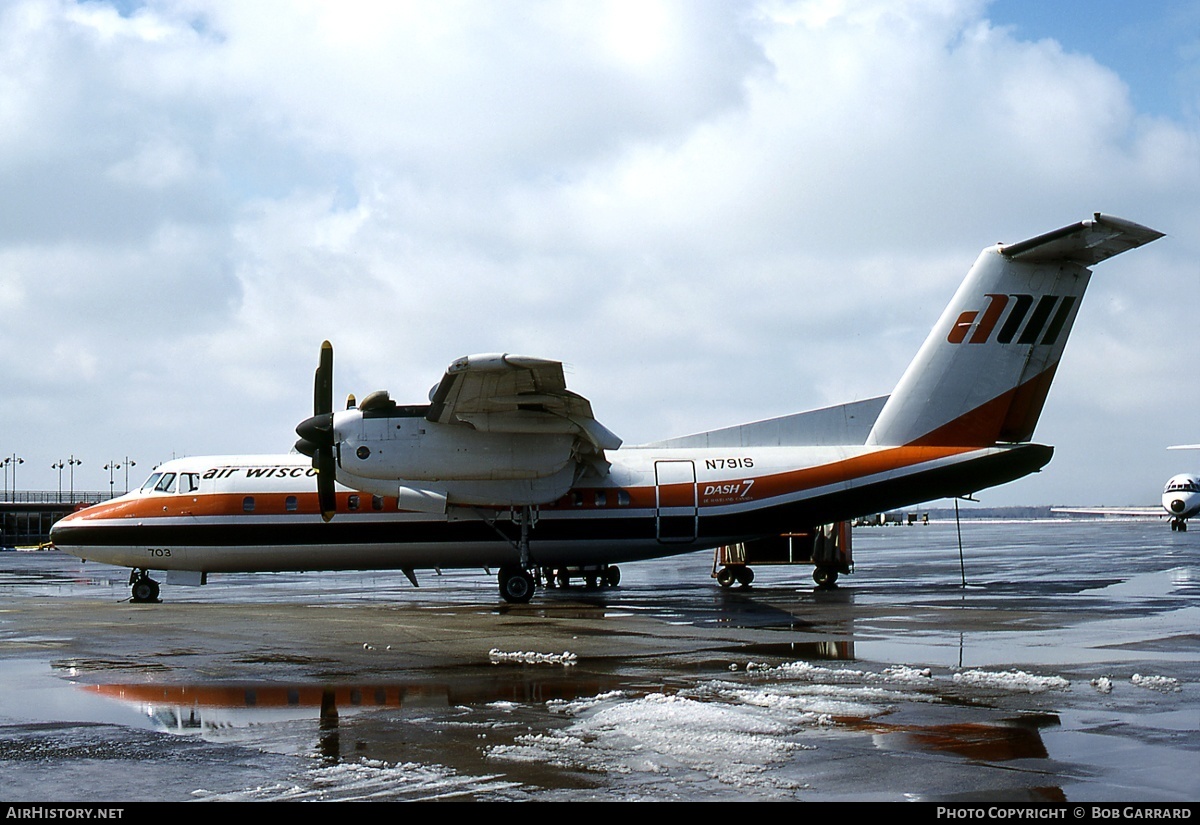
(261, 513)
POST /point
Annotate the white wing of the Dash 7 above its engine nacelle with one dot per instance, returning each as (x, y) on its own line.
(517, 394)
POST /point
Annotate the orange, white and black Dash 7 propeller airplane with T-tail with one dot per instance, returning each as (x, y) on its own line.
(506, 468)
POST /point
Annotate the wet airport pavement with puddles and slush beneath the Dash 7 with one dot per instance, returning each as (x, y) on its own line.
(1066, 670)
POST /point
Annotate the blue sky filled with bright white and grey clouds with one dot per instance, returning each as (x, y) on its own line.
(712, 213)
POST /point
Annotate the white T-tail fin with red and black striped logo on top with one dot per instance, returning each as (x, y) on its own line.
(983, 374)
